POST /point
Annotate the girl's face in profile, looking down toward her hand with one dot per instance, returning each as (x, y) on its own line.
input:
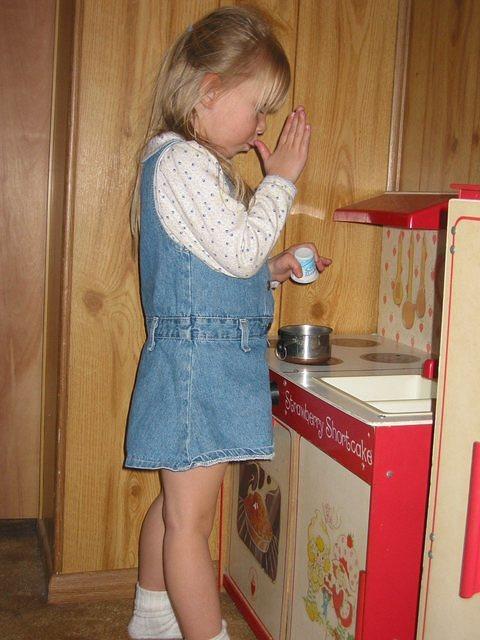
(231, 120)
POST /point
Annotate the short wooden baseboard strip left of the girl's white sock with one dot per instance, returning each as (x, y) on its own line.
(92, 586)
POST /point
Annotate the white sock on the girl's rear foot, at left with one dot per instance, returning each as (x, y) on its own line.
(153, 617)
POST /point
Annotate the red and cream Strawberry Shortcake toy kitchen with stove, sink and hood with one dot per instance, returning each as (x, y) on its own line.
(327, 540)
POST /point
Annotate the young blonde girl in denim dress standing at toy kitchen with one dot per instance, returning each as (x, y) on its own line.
(202, 397)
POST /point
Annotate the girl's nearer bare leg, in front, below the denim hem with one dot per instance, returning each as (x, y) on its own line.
(190, 499)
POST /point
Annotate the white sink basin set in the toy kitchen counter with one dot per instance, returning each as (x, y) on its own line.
(390, 394)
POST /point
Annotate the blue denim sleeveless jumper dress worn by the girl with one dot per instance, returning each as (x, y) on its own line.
(202, 392)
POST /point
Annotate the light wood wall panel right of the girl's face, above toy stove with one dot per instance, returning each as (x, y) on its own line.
(338, 46)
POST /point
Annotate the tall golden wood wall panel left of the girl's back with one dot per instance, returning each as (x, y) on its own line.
(119, 47)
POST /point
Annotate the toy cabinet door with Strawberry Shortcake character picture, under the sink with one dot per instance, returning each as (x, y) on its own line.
(330, 547)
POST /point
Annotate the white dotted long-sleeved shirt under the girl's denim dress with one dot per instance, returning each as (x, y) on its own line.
(194, 204)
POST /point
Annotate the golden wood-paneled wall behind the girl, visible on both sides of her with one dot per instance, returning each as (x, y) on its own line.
(103, 504)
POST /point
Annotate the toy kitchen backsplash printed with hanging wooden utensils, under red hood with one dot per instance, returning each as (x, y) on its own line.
(411, 287)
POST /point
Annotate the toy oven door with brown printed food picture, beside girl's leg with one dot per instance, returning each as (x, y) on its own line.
(259, 558)
